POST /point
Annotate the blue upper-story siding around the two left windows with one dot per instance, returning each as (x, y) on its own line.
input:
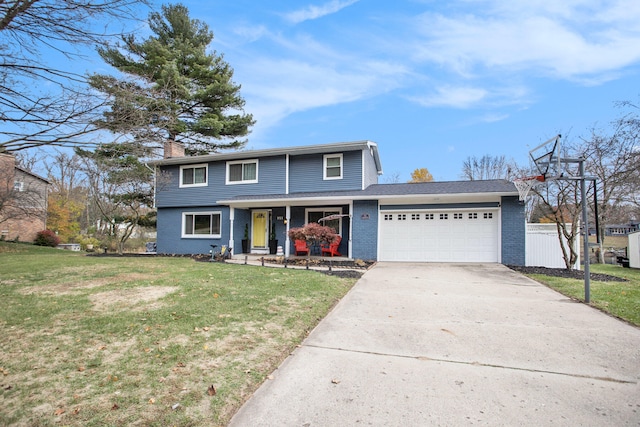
(271, 180)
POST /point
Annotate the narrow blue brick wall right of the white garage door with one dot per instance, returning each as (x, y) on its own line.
(513, 231)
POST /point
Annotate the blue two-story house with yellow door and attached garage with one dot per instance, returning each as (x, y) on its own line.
(220, 199)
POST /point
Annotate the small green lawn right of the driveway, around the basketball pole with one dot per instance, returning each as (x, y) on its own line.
(621, 299)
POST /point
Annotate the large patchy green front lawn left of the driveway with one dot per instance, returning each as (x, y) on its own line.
(157, 341)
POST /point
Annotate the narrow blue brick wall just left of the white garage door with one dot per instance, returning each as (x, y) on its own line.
(365, 230)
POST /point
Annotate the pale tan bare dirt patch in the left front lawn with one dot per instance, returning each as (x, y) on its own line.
(121, 299)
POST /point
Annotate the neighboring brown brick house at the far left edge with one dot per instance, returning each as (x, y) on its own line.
(23, 201)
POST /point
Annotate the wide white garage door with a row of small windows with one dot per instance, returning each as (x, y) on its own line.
(454, 235)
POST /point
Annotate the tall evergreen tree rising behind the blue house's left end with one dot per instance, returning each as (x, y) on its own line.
(174, 90)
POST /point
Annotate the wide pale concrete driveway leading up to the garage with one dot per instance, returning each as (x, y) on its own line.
(452, 344)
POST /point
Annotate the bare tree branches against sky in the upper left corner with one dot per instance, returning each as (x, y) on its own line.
(31, 31)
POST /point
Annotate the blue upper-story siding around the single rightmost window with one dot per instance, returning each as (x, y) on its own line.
(306, 173)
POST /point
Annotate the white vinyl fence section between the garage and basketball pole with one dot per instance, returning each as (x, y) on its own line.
(543, 247)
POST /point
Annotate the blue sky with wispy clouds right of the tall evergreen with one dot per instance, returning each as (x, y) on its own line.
(432, 82)
